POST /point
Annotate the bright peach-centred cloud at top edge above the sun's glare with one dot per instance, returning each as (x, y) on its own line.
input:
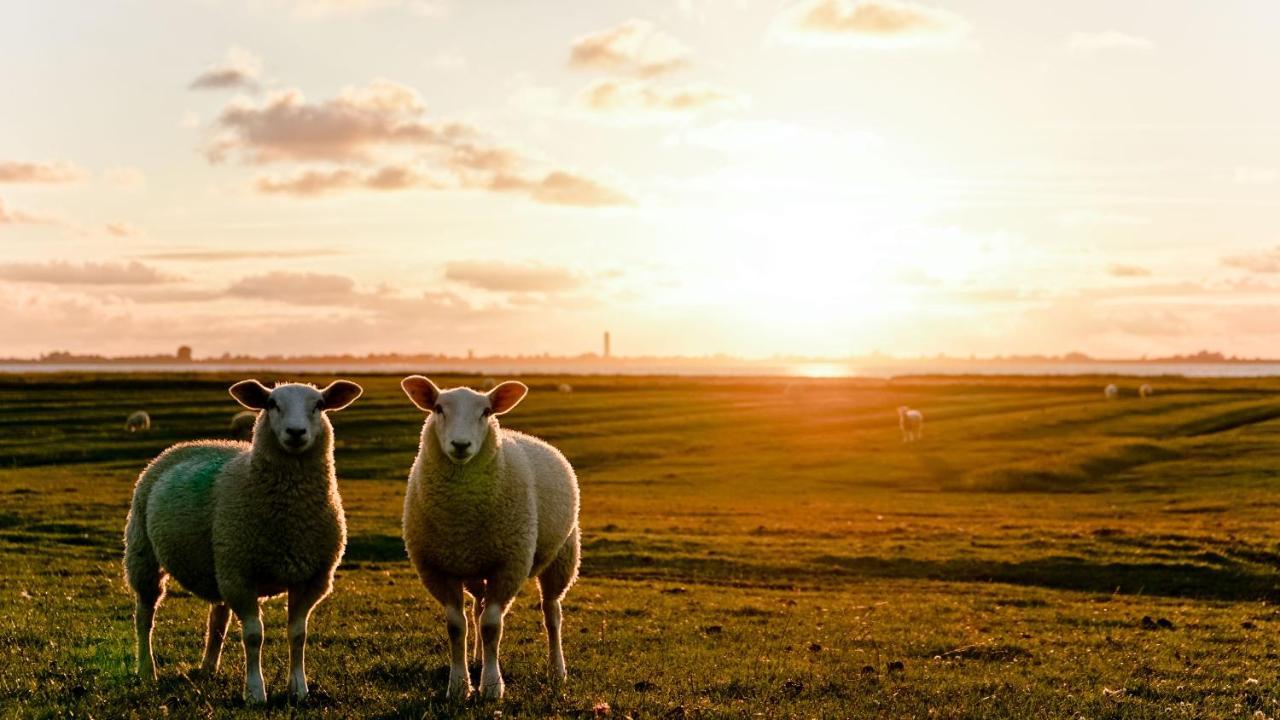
(871, 24)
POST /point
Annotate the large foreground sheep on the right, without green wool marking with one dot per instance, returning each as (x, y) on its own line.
(486, 511)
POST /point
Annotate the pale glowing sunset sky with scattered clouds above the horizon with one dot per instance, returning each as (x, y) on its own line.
(749, 177)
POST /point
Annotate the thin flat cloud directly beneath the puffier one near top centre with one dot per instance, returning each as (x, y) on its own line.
(641, 99)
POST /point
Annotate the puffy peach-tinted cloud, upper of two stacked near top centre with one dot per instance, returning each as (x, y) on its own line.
(633, 48)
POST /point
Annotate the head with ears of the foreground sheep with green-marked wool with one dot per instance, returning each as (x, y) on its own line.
(294, 413)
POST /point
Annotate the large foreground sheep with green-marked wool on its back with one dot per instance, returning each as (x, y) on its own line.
(236, 522)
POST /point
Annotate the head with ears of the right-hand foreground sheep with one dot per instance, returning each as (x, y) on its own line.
(463, 418)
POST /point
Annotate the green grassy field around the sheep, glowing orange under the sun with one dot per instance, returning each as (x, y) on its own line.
(752, 548)
